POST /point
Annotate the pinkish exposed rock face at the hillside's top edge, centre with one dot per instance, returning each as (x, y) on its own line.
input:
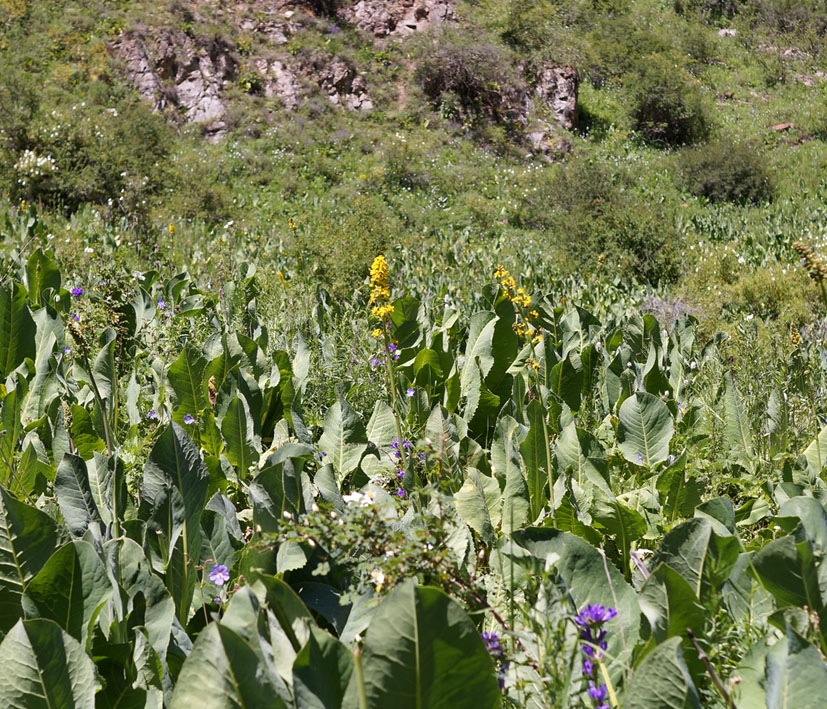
(382, 18)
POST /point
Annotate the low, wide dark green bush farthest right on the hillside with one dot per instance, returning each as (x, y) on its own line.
(723, 172)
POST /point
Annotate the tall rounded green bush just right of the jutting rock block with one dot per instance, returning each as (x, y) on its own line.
(666, 105)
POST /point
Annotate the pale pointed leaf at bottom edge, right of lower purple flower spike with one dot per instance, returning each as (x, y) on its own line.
(662, 681)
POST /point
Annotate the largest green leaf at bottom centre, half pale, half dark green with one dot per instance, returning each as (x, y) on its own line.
(422, 650)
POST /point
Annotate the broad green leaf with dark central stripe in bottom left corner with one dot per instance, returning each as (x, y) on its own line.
(45, 667)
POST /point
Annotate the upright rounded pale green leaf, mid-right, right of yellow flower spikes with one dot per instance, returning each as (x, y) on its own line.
(645, 429)
